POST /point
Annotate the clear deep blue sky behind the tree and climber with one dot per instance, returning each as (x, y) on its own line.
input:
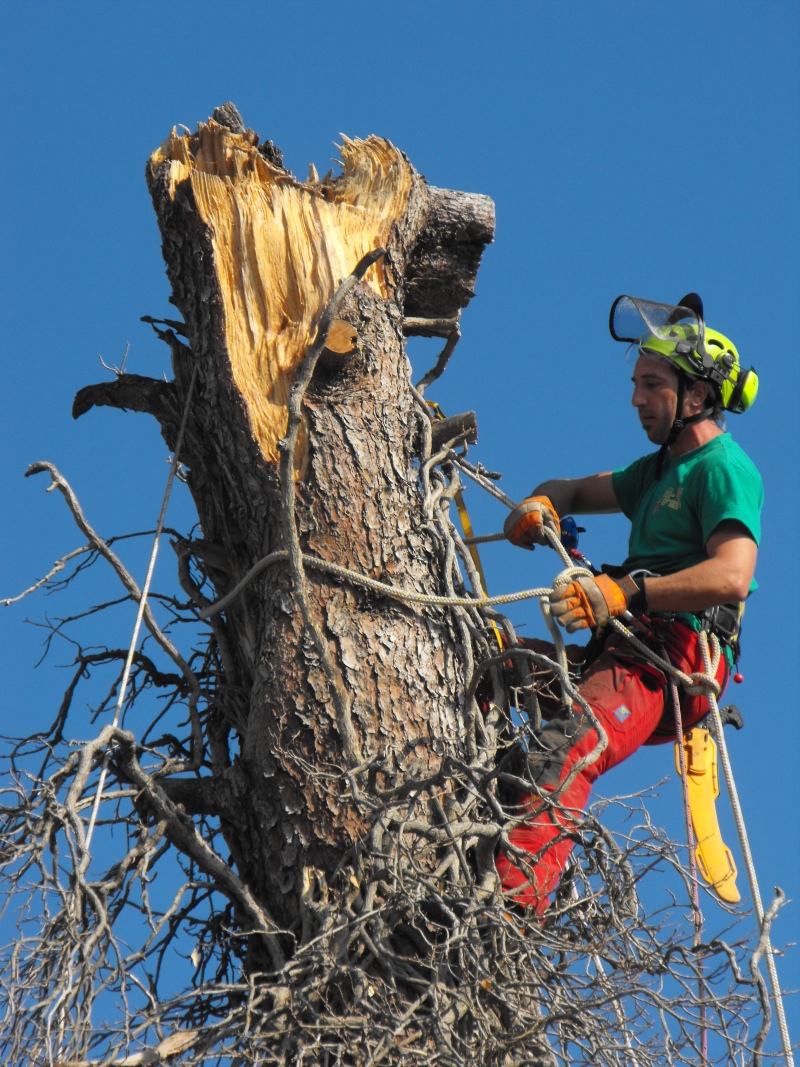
(644, 148)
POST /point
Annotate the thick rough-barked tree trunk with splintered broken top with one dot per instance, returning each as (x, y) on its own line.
(254, 259)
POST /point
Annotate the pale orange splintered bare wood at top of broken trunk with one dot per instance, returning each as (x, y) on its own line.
(281, 250)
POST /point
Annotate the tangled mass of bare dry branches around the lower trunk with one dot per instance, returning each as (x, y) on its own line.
(137, 953)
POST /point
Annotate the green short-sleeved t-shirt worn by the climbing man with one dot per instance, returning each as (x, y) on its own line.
(674, 518)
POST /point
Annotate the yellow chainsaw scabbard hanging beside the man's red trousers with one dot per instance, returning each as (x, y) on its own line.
(714, 857)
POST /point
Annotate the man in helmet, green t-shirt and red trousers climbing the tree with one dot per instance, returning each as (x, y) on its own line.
(695, 509)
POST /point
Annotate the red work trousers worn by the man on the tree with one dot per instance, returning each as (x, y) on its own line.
(630, 698)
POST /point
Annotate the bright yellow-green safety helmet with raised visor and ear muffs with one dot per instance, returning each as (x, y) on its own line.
(678, 336)
